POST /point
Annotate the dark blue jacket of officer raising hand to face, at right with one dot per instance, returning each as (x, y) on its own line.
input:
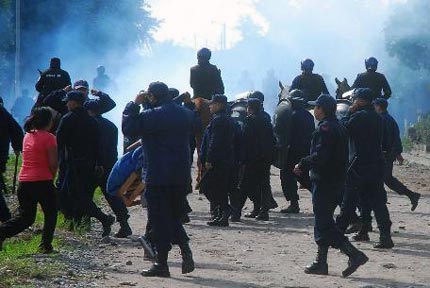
(365, 128)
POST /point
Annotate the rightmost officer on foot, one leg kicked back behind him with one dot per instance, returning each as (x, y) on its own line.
(392, 149)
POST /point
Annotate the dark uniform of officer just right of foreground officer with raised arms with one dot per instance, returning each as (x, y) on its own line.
(218, 149)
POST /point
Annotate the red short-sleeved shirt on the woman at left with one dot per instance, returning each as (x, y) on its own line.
(35, 163)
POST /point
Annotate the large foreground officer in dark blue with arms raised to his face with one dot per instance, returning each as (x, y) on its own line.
(164, 130)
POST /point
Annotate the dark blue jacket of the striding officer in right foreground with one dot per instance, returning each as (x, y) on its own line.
(328, 158)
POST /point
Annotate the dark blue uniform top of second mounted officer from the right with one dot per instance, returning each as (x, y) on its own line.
(311, 84)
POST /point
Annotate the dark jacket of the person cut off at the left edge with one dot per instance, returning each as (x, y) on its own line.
(10, 131)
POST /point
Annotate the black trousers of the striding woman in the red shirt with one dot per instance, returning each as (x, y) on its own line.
(29, 194)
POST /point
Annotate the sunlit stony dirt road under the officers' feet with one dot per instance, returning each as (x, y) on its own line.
(273, 253)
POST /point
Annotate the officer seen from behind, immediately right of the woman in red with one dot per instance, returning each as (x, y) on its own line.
(79, 149)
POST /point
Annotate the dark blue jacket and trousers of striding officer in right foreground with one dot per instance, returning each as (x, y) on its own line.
(327, 163)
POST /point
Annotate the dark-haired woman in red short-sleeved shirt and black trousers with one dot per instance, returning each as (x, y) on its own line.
(39, 166)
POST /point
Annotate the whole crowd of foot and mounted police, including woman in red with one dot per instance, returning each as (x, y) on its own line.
(343, 161)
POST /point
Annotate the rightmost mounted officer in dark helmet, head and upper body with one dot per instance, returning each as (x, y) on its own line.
(373, 80)
